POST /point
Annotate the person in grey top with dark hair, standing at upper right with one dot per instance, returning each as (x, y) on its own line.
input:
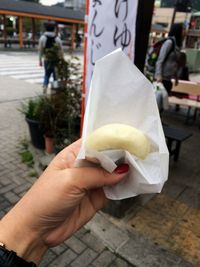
(168, 60)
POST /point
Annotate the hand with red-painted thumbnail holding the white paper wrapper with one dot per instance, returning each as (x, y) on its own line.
(62, 200)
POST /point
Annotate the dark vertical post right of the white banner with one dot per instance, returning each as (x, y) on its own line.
(143, 27)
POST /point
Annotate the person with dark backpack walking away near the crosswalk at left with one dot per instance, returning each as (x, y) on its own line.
(46, 42)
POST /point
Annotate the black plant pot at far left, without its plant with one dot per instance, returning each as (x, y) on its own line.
(36, 134)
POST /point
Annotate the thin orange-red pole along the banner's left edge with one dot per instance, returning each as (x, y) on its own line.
(84, 64)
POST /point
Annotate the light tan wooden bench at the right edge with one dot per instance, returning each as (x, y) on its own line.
(190, 88)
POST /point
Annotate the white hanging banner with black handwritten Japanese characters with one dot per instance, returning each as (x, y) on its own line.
(111, 25)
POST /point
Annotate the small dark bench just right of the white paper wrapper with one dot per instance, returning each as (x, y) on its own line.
(174, 137)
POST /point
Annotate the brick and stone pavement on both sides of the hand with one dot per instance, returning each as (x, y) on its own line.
(163, 232)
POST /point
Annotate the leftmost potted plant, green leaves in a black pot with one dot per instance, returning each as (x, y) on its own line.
(31, 110)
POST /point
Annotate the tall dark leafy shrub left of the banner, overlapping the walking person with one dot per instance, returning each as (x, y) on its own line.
(60, 113)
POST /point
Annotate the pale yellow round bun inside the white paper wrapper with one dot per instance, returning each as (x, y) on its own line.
(119, 136)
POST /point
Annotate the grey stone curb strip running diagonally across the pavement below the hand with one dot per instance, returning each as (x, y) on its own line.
(131, 246)
